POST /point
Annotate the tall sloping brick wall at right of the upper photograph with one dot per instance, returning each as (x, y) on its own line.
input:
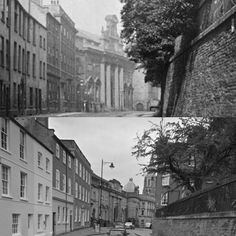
(201, 78)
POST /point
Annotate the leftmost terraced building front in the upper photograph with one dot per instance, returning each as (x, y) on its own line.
(23, 80)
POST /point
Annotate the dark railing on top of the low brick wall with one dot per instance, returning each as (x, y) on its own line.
(222, 198)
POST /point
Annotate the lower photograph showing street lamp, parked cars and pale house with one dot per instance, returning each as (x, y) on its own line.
(117, 176)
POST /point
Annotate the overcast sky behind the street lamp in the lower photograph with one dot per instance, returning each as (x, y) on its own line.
(110, 139)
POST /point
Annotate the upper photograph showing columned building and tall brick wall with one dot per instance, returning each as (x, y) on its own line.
(118, 58)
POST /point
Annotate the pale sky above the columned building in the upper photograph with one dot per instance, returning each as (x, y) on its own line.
(90, 15)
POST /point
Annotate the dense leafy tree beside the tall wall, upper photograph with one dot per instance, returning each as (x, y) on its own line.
(149, 30)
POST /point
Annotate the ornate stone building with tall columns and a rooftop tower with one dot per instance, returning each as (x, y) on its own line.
(105, 73)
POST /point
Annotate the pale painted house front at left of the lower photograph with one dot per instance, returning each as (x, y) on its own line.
(26, 186)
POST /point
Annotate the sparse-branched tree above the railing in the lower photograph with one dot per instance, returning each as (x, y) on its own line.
(191, 150)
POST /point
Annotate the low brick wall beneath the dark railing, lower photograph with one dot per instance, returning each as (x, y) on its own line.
(207, 224)
